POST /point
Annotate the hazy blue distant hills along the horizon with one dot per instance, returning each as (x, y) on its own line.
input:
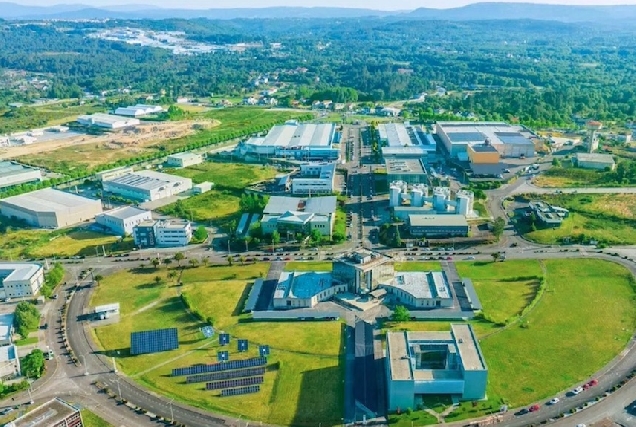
(472, 12)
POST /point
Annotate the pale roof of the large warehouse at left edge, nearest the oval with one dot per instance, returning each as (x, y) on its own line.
(48, 200)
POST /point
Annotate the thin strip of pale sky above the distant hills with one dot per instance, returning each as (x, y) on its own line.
(376, 4)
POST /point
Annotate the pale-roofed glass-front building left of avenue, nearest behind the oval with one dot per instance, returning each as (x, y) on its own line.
(299, 215)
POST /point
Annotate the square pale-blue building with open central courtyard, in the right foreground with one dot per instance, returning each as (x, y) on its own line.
(434, 363)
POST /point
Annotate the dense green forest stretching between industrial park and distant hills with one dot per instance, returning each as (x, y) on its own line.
(539, 73)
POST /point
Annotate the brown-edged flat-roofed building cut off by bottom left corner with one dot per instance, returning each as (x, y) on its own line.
(55, 413)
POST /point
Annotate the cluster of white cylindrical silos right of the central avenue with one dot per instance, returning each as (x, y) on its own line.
(407, 200)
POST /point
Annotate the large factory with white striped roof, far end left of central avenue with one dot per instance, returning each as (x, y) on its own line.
(306, 142)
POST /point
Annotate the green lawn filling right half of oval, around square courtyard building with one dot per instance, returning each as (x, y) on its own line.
(582, 317)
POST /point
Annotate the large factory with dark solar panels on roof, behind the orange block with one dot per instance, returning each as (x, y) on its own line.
(508, 140)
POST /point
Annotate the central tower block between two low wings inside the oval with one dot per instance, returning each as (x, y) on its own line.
(362, 270)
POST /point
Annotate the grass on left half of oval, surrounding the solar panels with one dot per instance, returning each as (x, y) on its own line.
(304, 364)
